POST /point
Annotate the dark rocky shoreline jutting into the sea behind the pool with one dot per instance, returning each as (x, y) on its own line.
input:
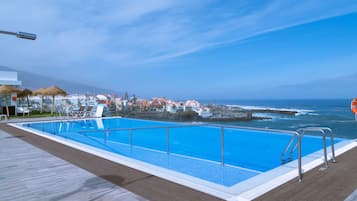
(220, 113)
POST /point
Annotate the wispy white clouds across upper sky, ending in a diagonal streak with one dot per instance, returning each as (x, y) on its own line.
(125, 33)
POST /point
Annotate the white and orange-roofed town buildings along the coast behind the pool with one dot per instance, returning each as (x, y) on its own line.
(116, 105)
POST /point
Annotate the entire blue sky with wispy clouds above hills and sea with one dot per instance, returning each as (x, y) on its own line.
(189, 49)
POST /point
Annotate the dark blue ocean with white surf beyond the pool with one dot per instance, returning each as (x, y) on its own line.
(335, 114)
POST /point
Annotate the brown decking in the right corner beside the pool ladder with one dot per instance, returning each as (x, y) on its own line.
(333, 184)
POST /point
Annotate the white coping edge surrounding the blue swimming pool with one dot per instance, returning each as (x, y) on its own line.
(245, 190)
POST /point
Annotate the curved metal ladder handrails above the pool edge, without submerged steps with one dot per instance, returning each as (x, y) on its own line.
(315, 129)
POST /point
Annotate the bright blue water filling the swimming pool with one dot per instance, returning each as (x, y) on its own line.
(195, 150)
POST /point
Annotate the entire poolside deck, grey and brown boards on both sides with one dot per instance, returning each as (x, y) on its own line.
(32, 174)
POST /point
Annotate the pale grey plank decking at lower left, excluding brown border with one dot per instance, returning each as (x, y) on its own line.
(28, 173)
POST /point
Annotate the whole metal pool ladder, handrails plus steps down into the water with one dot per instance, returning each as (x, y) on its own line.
(295, 143)
